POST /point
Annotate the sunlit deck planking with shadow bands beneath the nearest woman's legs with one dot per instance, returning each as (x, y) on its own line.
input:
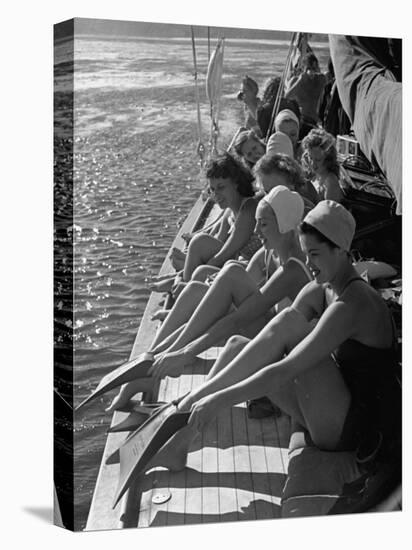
(235, 469)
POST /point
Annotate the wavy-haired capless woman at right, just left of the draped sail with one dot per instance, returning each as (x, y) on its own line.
(319, 158)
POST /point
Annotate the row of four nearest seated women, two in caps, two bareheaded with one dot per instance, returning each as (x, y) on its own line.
(299, 324)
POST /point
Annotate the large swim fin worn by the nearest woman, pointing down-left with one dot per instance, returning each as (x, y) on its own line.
(138, 449)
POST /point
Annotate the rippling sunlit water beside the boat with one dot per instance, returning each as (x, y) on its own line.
(135, 177)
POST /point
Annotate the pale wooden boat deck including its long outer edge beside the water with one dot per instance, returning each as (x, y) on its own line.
(235, 470)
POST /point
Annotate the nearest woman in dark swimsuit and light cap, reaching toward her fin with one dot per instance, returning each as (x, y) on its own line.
(335, 380)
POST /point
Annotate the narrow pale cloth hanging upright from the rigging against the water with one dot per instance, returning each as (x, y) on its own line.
(213, 91)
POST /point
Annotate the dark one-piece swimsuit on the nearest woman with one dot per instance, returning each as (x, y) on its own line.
(374, 415)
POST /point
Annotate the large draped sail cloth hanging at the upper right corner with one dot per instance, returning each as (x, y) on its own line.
(372, 100)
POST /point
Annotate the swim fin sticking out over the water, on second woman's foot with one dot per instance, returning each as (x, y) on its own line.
(136, 368)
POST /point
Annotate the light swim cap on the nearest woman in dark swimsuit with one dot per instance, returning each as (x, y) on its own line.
(334, 222)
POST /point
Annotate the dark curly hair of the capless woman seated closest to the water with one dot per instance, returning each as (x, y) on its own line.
(226, 166)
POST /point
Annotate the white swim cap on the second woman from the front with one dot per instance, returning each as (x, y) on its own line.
(287, 205)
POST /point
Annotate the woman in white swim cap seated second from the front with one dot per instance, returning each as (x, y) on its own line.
(238, 300)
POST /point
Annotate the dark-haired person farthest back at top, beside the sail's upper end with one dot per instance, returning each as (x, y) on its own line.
(307, 88)
